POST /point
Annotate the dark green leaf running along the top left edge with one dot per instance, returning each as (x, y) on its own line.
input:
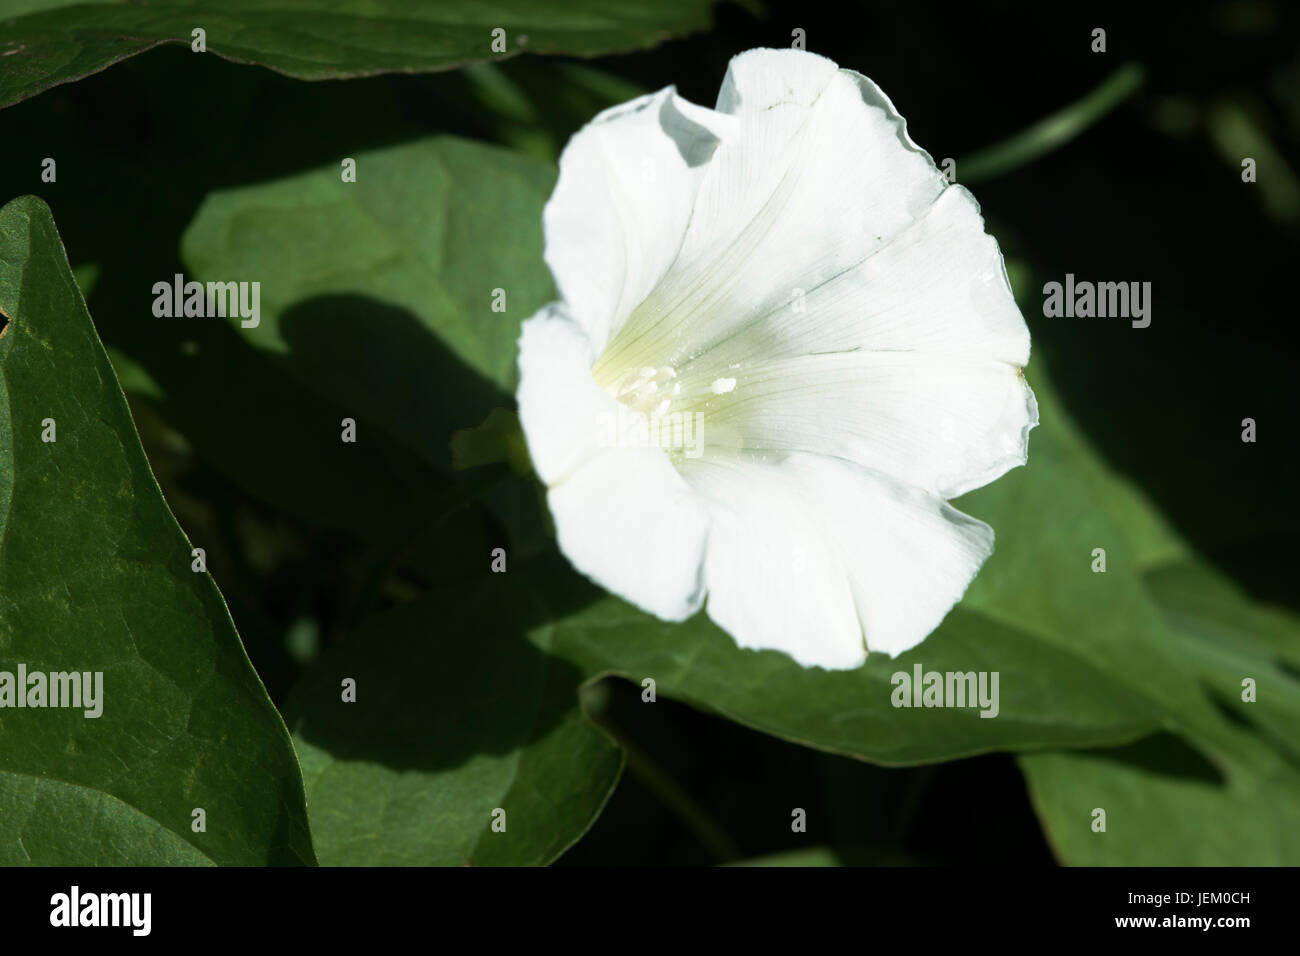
(318, 40)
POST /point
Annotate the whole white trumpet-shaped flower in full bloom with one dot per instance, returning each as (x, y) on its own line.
(790, 275)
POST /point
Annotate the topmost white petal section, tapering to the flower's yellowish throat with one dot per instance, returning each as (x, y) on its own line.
(820, 176)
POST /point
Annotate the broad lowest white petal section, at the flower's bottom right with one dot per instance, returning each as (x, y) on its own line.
(821, 559)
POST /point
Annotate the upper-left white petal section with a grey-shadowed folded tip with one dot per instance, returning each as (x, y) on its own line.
(621, 207)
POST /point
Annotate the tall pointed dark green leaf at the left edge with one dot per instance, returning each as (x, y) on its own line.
(96, 576)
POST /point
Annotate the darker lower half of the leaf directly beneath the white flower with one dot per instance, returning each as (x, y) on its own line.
(851, 712)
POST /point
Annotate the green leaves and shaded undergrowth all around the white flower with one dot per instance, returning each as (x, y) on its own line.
(482, 689)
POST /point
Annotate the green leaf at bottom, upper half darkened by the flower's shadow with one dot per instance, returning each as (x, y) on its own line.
(461, 713)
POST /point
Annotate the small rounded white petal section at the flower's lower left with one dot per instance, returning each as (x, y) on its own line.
(629, 521)
